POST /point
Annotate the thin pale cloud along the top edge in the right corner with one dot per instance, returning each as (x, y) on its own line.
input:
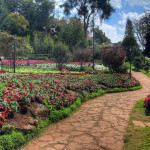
(138, 2)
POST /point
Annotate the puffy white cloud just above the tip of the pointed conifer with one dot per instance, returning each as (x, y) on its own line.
(132, 15)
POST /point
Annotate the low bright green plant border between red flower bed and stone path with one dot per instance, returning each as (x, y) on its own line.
(17, 140)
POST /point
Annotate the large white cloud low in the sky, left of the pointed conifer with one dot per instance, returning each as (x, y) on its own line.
(112, 32)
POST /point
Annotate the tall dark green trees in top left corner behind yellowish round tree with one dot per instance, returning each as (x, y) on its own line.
(37, 12)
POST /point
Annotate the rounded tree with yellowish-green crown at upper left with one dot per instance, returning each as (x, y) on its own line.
(15, 24)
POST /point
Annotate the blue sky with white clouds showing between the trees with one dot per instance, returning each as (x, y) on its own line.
(114, 27)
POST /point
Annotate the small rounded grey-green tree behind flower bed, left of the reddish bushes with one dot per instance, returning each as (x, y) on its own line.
(61, 54)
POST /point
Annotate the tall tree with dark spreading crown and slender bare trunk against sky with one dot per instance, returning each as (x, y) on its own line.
(87, 8)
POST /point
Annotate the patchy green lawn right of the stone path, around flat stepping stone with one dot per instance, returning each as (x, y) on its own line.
(137, 138)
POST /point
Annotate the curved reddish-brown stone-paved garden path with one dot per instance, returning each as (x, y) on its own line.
(98, 125)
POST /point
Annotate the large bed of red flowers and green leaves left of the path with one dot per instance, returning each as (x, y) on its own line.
(55, 89)
